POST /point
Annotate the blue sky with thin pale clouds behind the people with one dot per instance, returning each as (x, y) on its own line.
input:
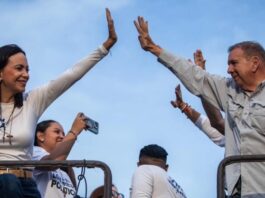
(129, 92)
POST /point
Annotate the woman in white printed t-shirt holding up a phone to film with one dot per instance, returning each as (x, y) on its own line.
(52, 144)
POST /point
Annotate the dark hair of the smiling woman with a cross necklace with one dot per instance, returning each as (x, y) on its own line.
(6, 52)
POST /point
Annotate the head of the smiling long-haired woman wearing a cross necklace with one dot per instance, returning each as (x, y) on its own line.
(14, 73)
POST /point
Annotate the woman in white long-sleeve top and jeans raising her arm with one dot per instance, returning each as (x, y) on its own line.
(19, 111)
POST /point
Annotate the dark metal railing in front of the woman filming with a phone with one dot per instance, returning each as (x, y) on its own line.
(67, 163)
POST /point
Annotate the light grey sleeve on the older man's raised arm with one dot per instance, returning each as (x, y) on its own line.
(196, 80)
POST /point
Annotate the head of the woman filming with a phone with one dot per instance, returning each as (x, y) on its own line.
(48, 134)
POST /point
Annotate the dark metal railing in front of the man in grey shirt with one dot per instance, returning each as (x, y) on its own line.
(231, 160)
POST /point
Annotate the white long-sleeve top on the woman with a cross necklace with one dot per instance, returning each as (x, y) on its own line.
(23, 122)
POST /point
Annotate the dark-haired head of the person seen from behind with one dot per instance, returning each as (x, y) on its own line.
(153, 155)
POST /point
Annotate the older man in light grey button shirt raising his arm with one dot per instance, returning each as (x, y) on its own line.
(241, 97)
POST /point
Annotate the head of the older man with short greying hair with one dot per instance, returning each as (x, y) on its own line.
(246, 64)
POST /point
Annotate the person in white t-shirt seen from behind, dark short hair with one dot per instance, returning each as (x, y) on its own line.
(150, 179)
